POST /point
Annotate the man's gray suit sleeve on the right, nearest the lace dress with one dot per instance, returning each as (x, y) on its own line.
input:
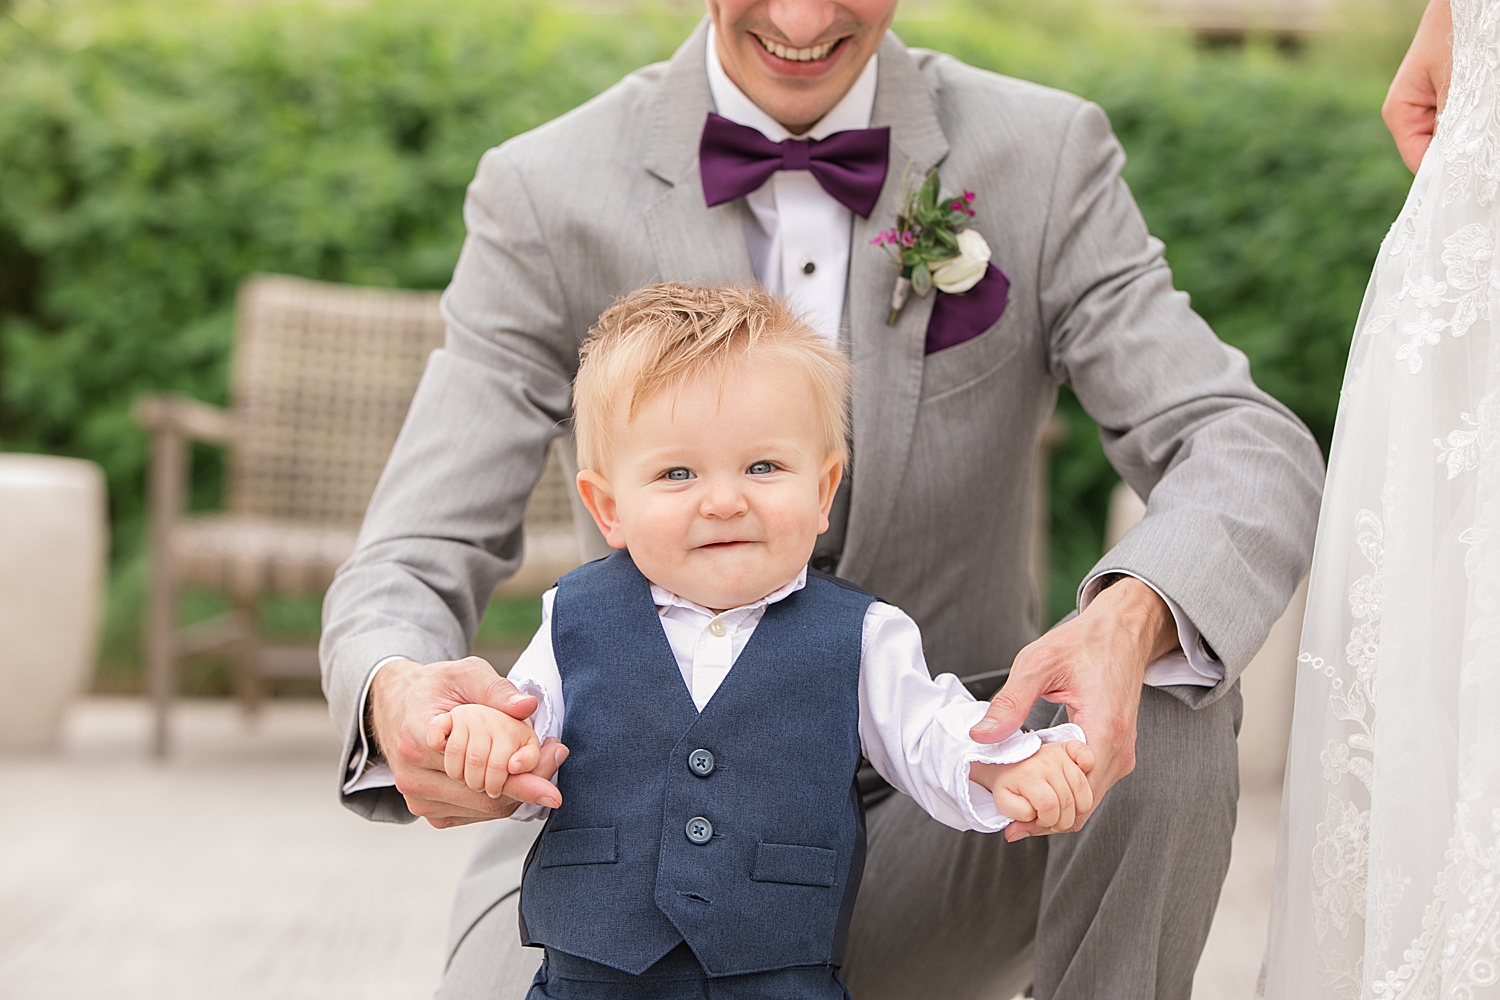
(1231, 476)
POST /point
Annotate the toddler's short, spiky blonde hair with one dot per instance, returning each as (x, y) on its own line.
(662, 337)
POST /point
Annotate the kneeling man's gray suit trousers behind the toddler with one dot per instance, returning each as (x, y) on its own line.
(1117, 911)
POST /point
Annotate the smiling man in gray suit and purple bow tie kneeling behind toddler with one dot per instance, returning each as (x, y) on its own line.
(821, 113)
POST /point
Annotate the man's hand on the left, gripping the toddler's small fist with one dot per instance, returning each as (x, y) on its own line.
(407, 696)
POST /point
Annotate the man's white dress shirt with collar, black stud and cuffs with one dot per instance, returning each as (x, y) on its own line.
(794, 223)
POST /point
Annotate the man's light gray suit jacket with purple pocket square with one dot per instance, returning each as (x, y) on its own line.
(607, 199)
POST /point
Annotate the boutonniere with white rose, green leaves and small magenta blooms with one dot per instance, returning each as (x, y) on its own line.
(932, 245)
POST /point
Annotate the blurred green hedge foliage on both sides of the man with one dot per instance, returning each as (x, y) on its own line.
(157, 152)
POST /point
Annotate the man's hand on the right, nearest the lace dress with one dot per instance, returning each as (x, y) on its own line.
(1096, 666)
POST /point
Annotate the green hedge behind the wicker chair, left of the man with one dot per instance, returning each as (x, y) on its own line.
(152, 155)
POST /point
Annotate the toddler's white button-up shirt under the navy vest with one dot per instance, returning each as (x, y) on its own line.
(914, 728)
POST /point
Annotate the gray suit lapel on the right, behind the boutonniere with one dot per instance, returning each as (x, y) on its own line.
(887, 361)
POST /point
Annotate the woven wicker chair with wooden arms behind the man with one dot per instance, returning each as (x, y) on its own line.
(322, 382)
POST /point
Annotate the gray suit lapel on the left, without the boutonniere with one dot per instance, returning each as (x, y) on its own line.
(691, 242)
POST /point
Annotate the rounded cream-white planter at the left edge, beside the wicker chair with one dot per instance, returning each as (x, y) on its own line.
(53, 549)
